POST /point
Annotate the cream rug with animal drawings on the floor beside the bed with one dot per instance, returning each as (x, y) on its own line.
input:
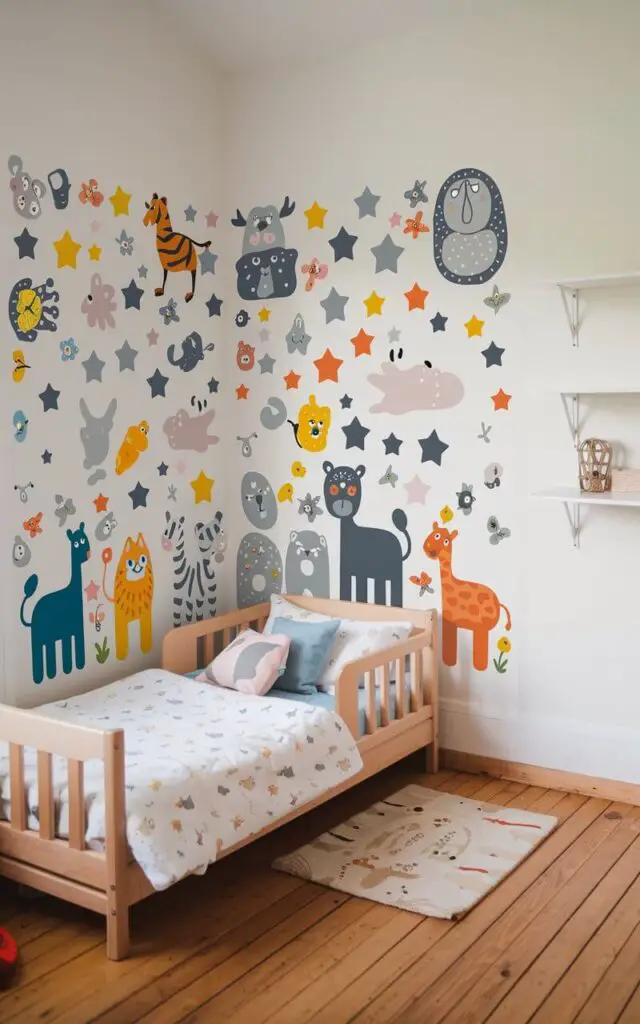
(422, 850)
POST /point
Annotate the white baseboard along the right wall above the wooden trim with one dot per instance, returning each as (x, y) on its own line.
(563, 744)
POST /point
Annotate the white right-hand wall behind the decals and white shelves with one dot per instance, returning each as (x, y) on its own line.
(543, 97)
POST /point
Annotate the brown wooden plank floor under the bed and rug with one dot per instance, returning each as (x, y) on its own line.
(559, 942)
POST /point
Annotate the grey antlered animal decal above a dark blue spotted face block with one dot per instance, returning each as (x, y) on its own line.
(267, 269)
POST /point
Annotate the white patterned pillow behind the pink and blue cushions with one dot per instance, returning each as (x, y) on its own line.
(355, 638)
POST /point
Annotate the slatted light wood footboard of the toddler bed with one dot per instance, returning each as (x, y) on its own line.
(66, 868)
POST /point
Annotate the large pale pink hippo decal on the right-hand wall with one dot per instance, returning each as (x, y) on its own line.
(416, 390)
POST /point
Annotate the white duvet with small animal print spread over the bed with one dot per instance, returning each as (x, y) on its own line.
(206, 767)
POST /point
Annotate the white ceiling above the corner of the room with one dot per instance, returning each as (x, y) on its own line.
(250, 35)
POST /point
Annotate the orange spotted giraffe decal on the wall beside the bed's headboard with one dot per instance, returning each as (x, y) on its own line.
(465, 606)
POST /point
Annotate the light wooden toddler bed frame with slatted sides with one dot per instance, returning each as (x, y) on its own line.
(110, 883)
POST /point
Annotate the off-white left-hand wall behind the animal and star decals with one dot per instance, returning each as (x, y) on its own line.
(103, 92)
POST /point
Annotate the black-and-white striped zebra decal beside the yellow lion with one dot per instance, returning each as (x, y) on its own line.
(195, 583)
